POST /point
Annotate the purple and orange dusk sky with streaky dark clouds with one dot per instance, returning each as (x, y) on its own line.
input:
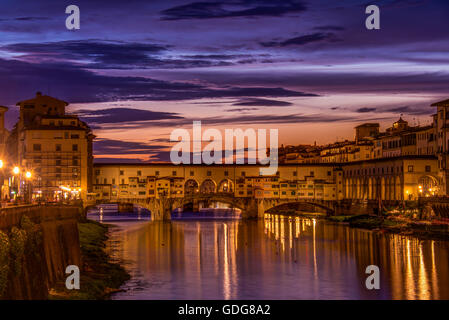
(138, 69)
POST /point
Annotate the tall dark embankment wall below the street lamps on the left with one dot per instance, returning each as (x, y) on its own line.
(37, 243)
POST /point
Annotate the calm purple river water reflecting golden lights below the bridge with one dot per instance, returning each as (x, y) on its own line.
(279, 257)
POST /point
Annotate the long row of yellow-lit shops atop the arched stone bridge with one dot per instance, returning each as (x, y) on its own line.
(114, 182)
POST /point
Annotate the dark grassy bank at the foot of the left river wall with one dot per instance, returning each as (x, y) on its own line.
(99, 277)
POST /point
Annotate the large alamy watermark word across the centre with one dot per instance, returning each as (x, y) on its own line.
(213, 153)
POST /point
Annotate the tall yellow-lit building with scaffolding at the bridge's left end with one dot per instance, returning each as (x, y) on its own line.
(55, 147)
